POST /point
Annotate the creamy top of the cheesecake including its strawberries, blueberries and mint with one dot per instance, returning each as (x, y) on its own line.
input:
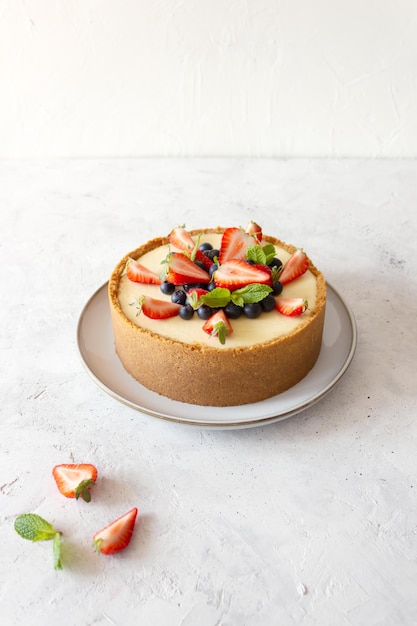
(217, 279)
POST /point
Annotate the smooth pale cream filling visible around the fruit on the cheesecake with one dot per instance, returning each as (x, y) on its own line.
(246, 332)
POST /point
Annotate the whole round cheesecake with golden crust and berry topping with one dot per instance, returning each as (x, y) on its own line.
(217, 317)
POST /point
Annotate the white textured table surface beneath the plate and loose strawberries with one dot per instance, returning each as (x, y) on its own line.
(312, 520)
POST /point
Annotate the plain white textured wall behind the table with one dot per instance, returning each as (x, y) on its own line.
(196, 77)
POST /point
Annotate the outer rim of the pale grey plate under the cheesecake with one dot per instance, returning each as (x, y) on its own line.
(260, 421)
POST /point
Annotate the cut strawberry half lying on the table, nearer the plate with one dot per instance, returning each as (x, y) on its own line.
(75, 480)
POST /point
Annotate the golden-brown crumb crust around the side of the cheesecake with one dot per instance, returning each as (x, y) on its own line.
(203, 375)
